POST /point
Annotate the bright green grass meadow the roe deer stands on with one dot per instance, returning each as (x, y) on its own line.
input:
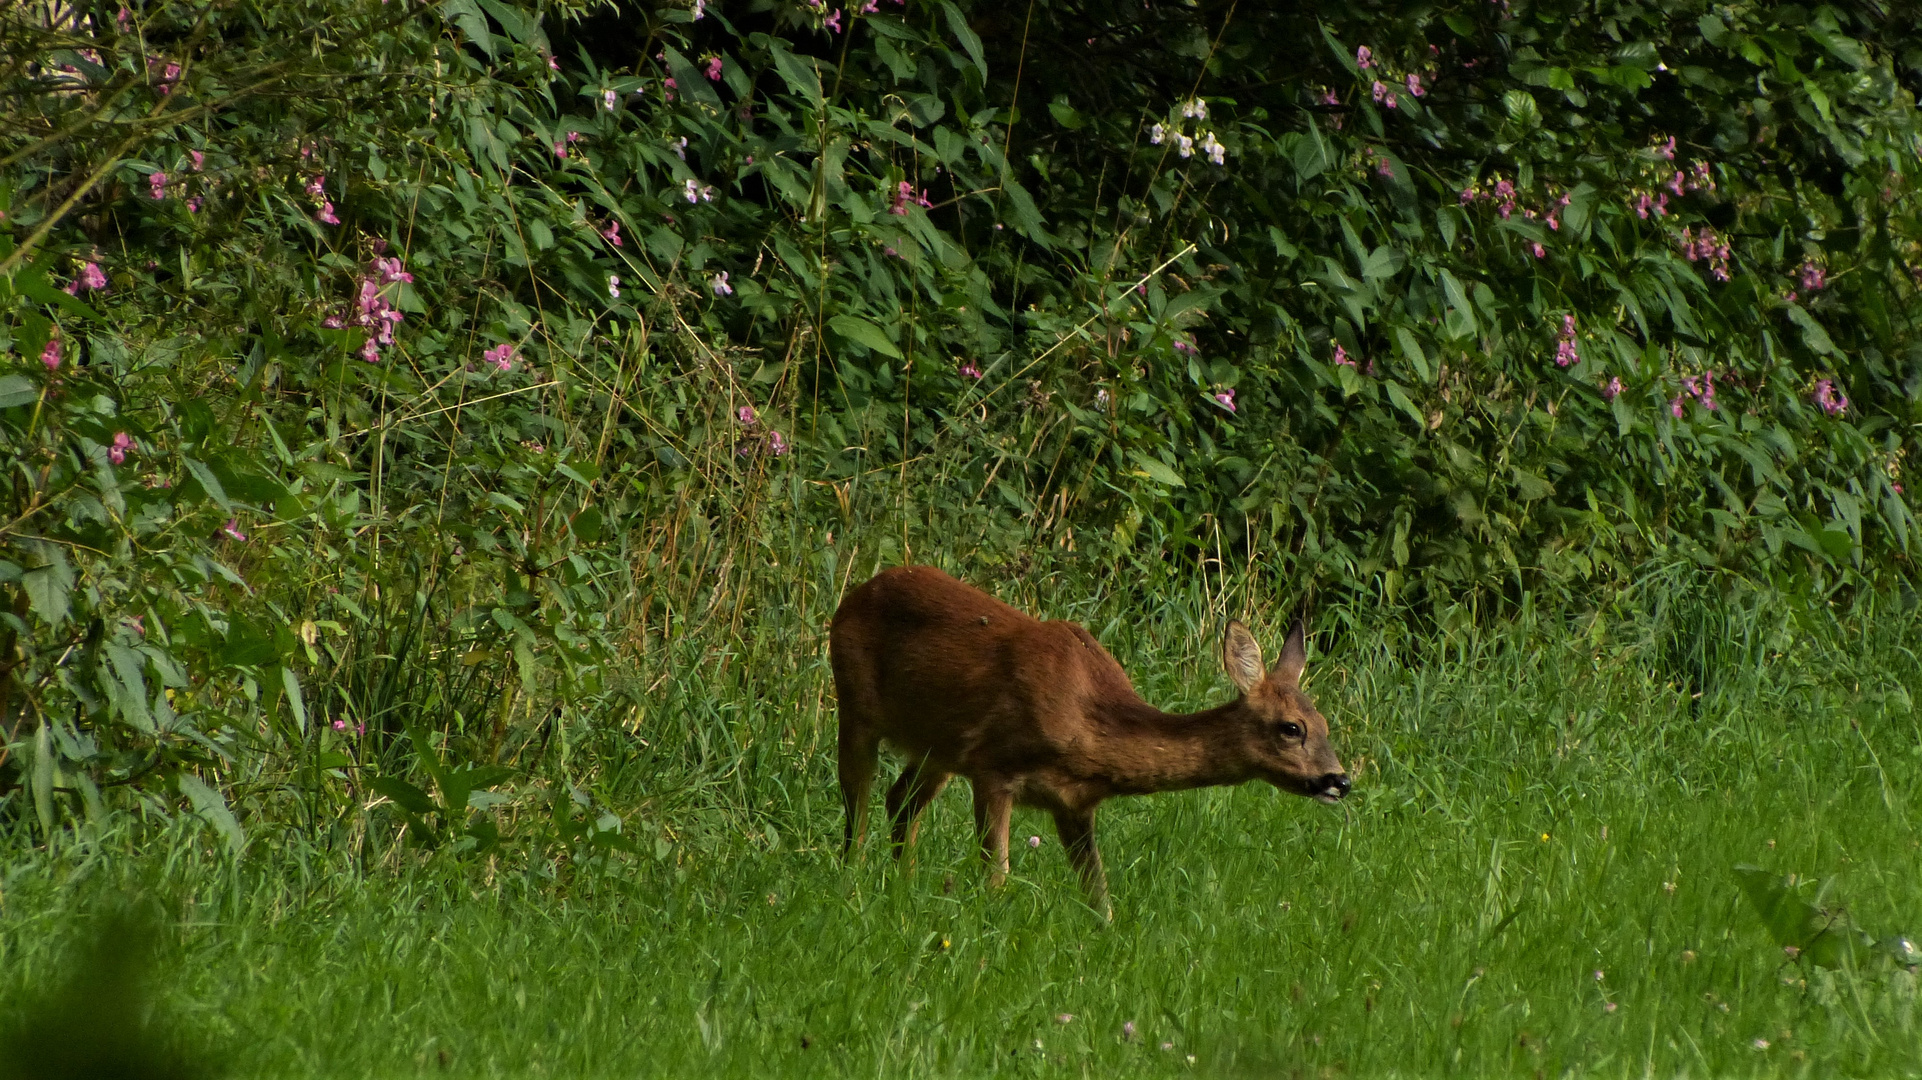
(1537, 804)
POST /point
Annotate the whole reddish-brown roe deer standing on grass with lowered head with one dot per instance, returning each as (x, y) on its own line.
(1039, 714)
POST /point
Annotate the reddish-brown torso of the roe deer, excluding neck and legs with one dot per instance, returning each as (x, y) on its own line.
(952, 675)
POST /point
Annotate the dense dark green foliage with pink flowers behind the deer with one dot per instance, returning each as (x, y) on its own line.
(385, 385)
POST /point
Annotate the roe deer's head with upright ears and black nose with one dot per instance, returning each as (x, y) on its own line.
(1285, 735)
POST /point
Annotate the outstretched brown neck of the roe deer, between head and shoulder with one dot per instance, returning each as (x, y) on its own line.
(1168, 752)
